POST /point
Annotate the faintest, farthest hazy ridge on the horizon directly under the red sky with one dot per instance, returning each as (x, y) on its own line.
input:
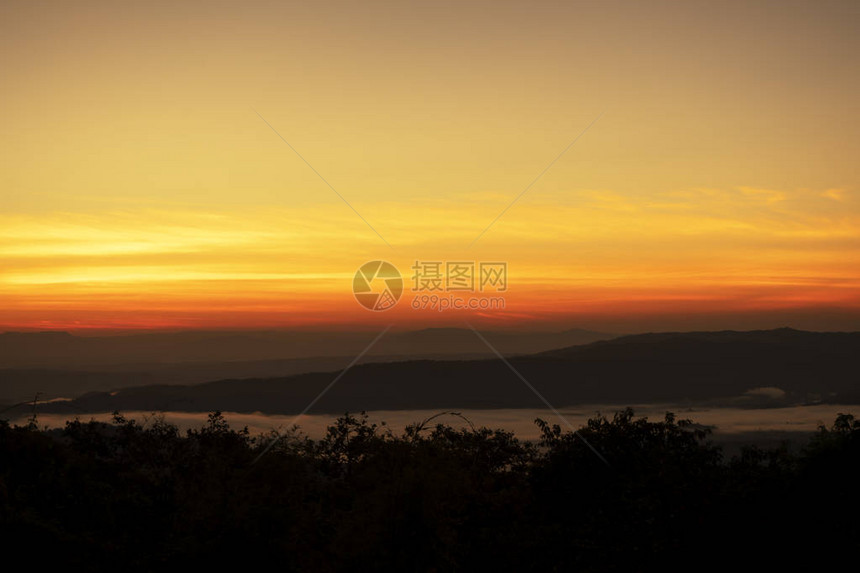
(63, 350)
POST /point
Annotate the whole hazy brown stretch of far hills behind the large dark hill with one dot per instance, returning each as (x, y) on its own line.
(60, 364)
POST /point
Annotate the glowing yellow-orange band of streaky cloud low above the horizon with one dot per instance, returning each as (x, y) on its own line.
(748, 248)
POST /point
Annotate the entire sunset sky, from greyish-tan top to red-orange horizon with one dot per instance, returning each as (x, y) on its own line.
(231, 165)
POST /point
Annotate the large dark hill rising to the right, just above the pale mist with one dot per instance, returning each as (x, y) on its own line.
(771, 367)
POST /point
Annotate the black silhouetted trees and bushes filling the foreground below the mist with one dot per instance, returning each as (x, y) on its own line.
(123, 496)
